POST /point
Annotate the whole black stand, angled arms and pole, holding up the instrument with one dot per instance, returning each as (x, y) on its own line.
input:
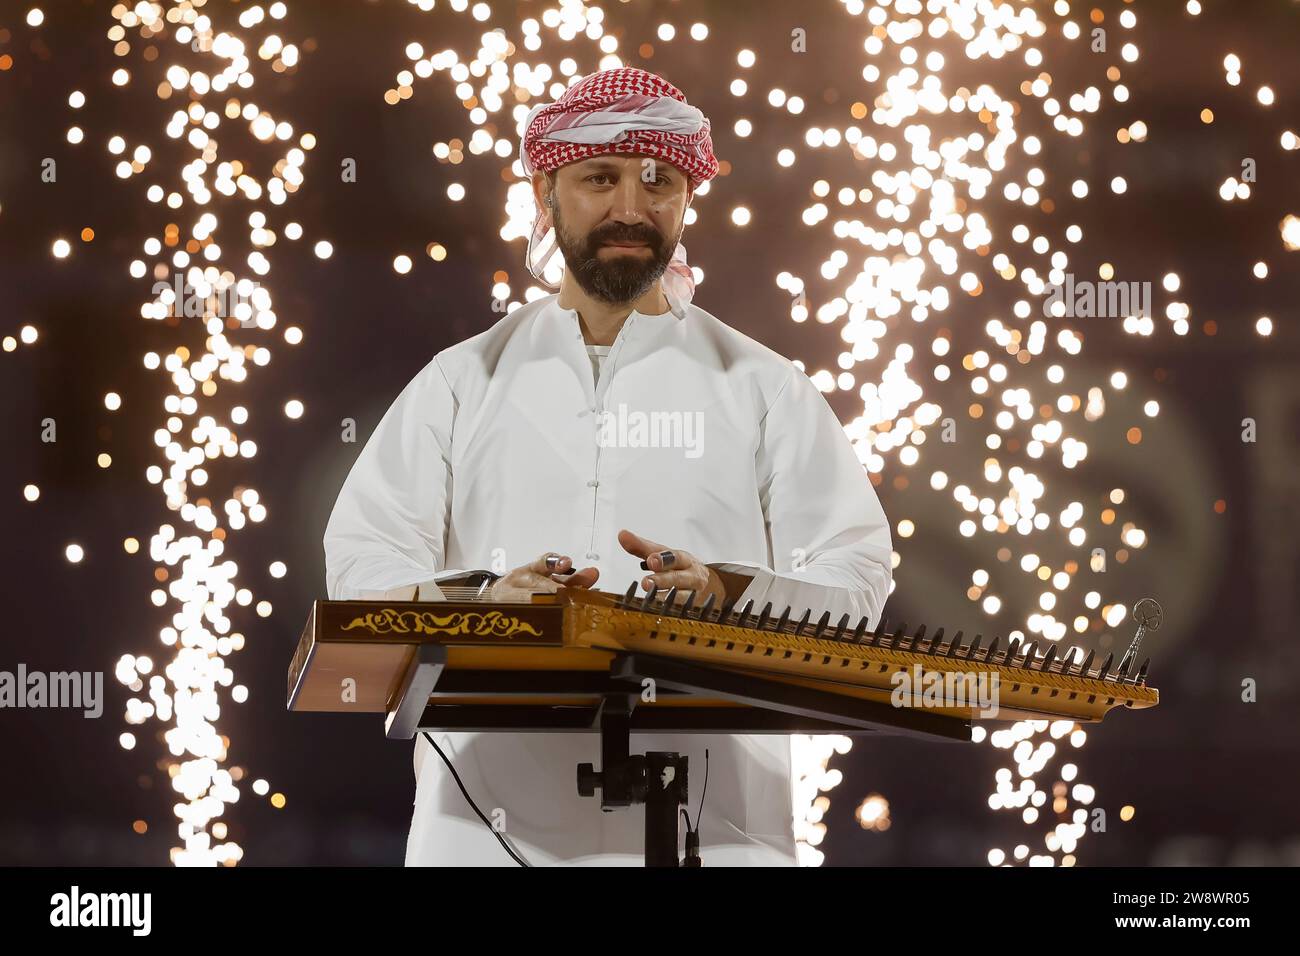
(762, 706)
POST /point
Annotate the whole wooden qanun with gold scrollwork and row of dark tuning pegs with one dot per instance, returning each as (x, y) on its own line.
(549, 661)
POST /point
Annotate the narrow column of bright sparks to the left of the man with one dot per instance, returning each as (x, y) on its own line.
(207, 81)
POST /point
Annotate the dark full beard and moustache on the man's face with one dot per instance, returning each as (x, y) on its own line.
(622, 279)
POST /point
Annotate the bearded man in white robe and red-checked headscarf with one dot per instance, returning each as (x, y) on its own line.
(493, 458)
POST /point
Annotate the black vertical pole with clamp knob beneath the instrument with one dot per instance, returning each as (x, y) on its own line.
(657, 780)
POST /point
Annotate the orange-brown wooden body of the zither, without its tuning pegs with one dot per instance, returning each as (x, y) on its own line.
(356, 655)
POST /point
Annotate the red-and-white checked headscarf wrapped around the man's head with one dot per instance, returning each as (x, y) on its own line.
(625, 110)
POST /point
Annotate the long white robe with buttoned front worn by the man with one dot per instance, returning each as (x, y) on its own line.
(505, 448)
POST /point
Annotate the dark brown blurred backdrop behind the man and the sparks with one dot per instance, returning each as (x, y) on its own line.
(1214, 780)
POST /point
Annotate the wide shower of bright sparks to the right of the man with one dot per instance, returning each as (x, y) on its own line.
(930, 174)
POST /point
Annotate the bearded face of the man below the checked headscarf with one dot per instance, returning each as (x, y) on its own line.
(618, 220)
